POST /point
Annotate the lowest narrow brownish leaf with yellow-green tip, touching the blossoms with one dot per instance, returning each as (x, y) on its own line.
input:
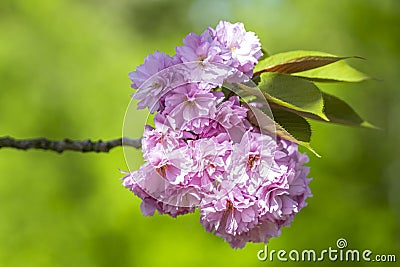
(262, 120)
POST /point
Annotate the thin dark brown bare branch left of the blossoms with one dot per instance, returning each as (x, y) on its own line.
(67, 144)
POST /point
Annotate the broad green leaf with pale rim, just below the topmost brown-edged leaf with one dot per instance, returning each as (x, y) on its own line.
(292, 93)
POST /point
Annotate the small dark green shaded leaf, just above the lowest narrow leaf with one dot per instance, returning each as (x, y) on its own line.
(296, 125)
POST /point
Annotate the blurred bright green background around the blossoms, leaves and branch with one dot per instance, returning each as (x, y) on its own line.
(63, 73)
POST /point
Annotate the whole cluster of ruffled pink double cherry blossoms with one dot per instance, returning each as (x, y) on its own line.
(203, 152)
